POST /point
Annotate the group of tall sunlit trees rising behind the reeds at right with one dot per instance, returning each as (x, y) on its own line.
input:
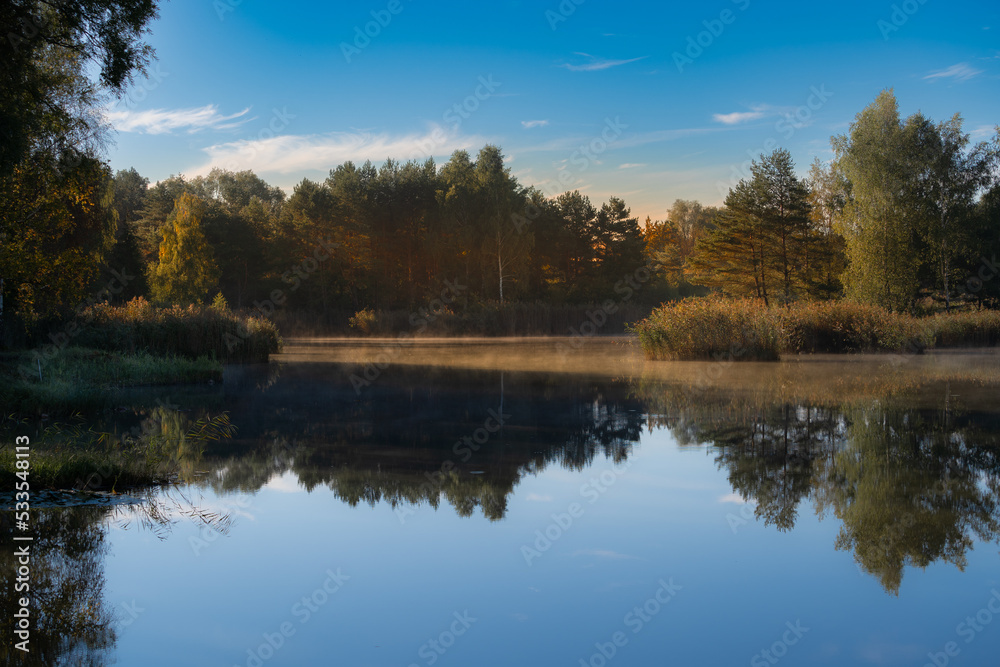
(906, 216)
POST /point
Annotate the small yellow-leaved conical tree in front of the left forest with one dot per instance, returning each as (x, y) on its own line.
(186, 270)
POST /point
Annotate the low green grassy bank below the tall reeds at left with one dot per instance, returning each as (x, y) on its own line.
(79, 379)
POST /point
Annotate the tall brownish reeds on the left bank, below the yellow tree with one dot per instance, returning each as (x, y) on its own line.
(191, 332)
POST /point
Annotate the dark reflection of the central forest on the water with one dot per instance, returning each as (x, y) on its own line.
(423, 435)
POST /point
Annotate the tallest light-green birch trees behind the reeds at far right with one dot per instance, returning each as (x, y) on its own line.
(909, 217)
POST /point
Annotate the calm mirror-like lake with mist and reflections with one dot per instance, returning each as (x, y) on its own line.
(547, 502)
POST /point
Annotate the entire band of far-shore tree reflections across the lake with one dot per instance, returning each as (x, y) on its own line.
(908, 469)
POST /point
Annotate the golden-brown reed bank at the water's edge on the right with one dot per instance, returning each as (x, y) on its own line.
(713, 328)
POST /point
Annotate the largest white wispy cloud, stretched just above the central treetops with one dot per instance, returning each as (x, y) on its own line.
(292, 153)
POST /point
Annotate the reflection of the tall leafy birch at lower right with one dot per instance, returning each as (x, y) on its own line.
(910, 489)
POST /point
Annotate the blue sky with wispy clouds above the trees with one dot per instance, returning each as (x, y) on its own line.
(647, 101)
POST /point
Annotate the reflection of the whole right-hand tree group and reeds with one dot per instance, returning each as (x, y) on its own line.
(911, 485)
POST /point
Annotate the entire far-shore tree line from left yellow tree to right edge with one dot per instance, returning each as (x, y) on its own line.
(906, 214)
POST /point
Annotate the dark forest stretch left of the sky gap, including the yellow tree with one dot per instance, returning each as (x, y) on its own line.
(390, 236)
